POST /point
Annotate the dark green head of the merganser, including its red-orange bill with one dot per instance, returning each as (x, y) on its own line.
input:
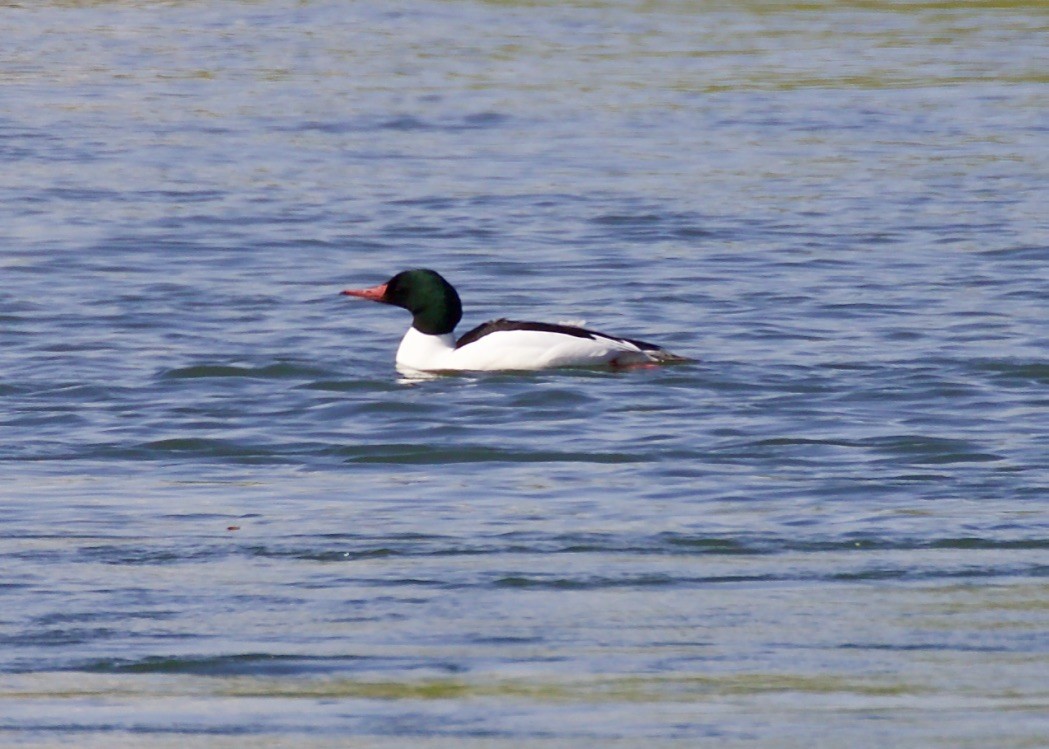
(433, 302)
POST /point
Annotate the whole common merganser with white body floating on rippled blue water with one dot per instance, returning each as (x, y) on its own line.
(431, 346)
